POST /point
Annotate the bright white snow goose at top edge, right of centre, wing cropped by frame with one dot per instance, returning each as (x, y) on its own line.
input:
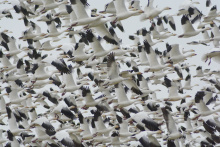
(151, 12)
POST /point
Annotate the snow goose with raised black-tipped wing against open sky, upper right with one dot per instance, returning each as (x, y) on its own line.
(188, 30)
